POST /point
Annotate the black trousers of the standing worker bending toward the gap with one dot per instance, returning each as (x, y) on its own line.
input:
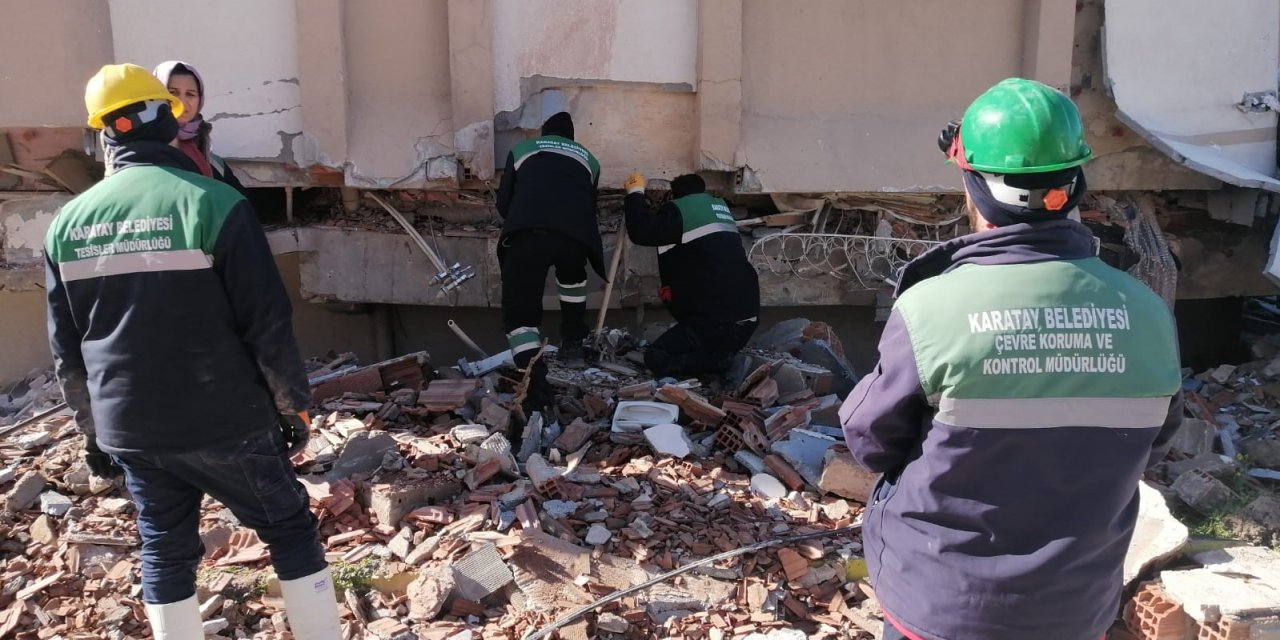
(525, 259)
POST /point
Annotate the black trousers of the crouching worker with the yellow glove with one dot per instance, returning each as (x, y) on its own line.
(691, 349)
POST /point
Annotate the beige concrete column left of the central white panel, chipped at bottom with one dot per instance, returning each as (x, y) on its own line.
(472, 85)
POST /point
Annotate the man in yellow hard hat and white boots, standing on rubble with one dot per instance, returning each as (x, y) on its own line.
(173, 344)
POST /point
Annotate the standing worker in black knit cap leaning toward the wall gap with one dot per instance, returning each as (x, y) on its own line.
(547, 198)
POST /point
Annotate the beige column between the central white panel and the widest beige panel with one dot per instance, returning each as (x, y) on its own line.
(720, 84)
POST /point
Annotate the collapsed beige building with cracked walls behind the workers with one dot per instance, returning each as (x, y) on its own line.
(817, 126)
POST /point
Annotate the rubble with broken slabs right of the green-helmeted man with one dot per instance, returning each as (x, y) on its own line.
(1220, 478)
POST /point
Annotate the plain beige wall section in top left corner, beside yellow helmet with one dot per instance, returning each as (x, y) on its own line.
(49, 49)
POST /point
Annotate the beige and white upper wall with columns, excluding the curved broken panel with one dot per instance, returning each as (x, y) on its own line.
(824, 95)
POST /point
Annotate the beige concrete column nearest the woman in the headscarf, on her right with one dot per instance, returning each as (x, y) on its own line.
(323, 80)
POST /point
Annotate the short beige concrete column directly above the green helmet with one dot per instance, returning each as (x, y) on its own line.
(1049, 31)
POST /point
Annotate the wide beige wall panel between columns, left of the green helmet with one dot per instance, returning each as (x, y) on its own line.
(849, 95)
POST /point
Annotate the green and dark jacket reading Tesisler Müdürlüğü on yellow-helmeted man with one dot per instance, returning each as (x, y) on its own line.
(170, 326)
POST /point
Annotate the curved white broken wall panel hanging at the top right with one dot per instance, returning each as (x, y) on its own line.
(1180, 68)
